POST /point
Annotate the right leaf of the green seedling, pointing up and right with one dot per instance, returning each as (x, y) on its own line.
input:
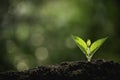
(96, 45)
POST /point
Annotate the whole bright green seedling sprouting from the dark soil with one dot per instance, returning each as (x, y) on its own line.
(86, 47)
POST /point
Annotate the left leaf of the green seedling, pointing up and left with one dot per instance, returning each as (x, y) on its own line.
(80, 43)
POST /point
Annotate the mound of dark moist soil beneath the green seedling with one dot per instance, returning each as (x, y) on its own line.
(76, 70)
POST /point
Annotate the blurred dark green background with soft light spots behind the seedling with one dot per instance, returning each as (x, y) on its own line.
(38, 32)
